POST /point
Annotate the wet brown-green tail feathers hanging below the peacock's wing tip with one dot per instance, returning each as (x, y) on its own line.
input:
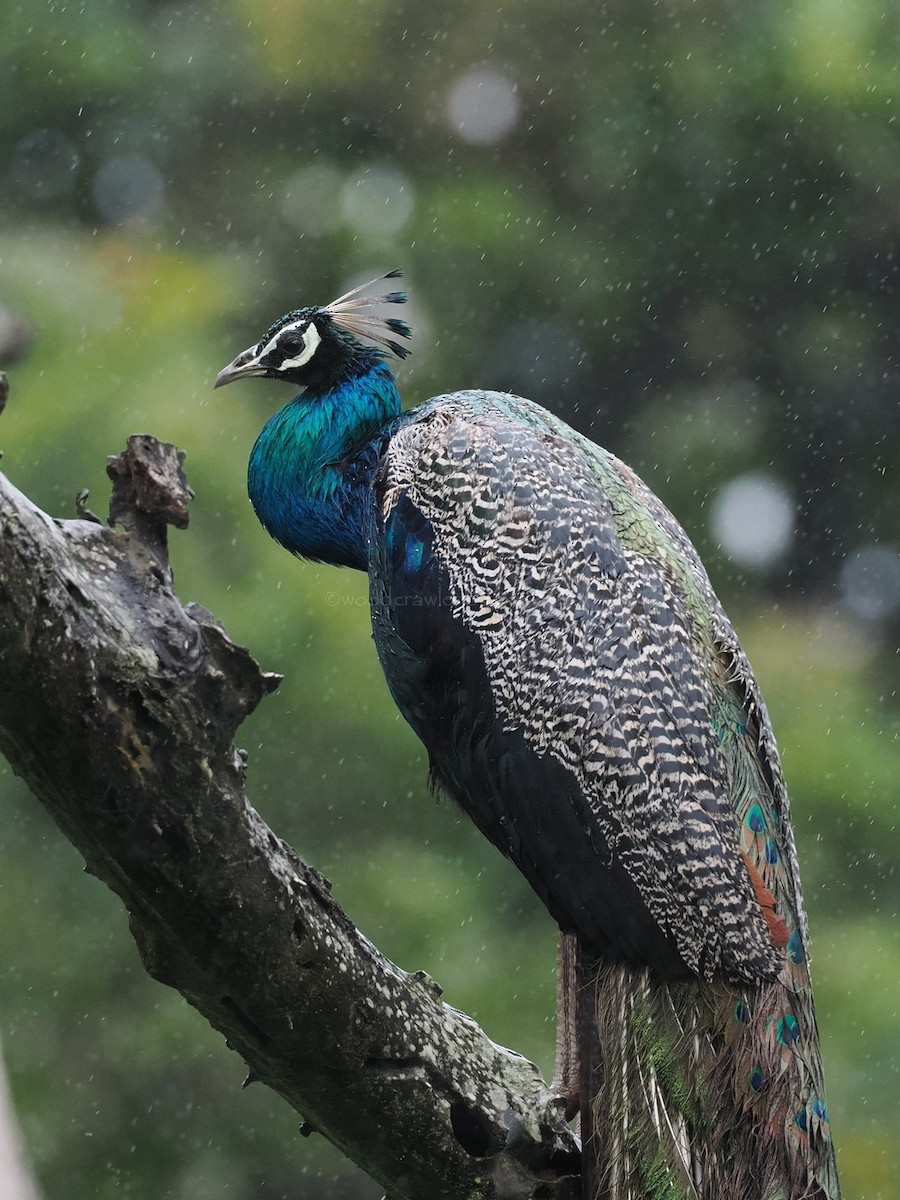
(707, 1091)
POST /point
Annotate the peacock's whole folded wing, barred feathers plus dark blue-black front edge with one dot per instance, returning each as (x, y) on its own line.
(562, 685)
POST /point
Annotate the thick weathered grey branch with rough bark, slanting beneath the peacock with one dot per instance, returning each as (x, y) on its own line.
(118, 706)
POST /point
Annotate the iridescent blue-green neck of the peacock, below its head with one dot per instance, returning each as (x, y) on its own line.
(313, 467)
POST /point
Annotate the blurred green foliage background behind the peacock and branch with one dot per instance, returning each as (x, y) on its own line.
(683, 239)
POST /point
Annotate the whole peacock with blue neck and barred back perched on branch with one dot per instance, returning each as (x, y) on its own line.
(549, 632)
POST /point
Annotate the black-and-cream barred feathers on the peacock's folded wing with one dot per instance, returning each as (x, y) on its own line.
(569, 617)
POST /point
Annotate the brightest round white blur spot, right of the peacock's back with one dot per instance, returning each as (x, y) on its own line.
(753, 520)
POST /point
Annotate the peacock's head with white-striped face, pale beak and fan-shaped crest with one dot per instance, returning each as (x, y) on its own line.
(321, 347)
